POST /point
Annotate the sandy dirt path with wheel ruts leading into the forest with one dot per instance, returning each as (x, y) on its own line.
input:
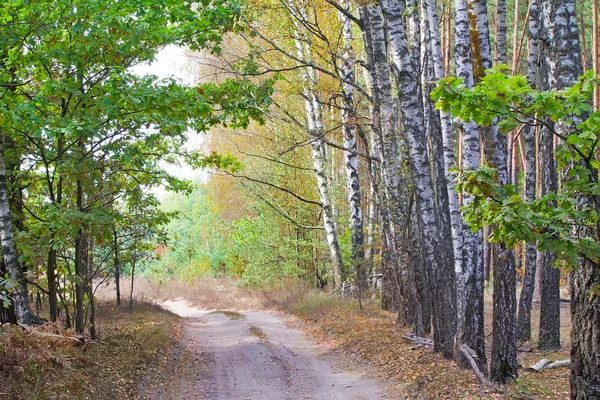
(256, 355)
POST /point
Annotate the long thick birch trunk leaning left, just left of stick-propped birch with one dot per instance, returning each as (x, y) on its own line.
(434, 245)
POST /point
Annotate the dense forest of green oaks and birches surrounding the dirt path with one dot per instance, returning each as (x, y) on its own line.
(433, 158)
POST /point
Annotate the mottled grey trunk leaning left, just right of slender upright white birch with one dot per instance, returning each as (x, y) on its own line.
(394, 196)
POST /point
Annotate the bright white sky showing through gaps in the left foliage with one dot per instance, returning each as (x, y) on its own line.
(172, 61)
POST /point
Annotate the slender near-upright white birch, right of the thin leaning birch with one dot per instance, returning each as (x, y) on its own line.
(350, 155)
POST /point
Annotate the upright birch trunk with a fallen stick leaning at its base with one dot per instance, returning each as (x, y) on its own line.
(470, 316)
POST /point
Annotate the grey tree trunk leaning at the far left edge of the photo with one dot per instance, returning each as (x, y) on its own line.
(20, 295)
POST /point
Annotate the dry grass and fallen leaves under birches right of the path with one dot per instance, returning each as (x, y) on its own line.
(418, 373)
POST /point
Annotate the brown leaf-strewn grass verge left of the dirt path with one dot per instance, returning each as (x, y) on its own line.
(130, 349)
